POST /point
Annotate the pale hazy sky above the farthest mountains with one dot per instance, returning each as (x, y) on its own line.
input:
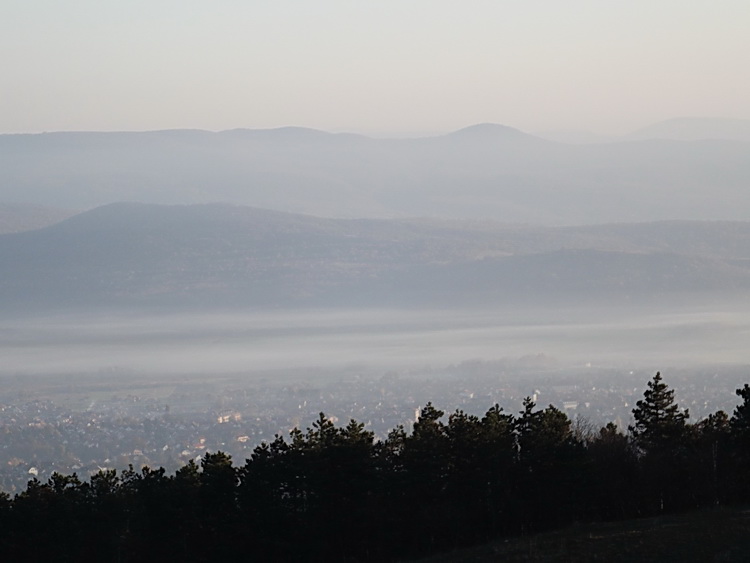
(378, 67)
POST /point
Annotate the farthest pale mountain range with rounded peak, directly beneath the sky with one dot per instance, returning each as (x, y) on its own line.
(482, 172)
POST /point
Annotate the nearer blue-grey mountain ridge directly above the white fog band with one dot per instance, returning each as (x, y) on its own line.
(227, 256)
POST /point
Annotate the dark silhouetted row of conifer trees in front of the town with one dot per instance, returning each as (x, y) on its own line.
(335, 493)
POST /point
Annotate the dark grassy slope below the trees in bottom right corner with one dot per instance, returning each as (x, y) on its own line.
(715, 535)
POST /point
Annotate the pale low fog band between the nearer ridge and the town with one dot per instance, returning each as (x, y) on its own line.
(388, 339)
